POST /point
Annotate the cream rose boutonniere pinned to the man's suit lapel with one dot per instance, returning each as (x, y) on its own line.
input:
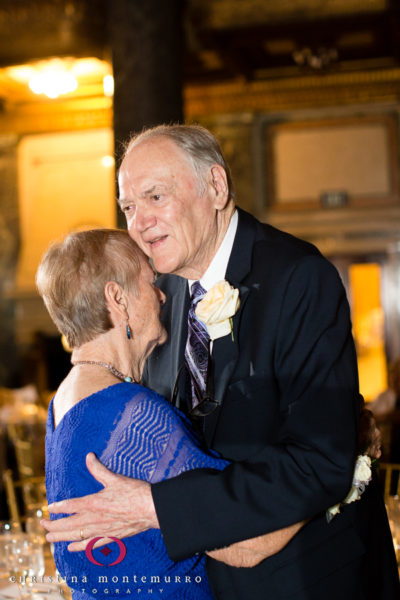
(217, 308)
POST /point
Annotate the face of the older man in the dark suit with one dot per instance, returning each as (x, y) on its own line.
(166, 215)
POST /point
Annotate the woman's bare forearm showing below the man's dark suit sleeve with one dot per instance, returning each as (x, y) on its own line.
(251, 552)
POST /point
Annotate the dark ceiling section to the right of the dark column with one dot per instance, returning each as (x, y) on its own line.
(258, 40)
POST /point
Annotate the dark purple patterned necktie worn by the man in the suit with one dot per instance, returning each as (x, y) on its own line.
(196, 351)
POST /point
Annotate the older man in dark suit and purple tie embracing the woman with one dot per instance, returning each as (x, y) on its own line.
(278, 397)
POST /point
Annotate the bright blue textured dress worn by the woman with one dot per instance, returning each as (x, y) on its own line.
(137, 433)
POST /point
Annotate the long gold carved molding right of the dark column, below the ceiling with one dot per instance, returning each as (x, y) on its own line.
(307, 91)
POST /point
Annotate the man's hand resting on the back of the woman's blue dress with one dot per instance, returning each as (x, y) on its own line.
(123, 508)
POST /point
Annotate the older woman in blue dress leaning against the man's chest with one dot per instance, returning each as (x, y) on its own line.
(99, 290)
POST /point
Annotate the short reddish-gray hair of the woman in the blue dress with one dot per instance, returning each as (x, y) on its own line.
(73, 273)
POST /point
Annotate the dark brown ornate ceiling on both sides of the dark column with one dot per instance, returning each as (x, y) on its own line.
(225, 39)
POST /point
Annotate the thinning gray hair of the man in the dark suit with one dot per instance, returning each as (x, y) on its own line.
(199, 145)
